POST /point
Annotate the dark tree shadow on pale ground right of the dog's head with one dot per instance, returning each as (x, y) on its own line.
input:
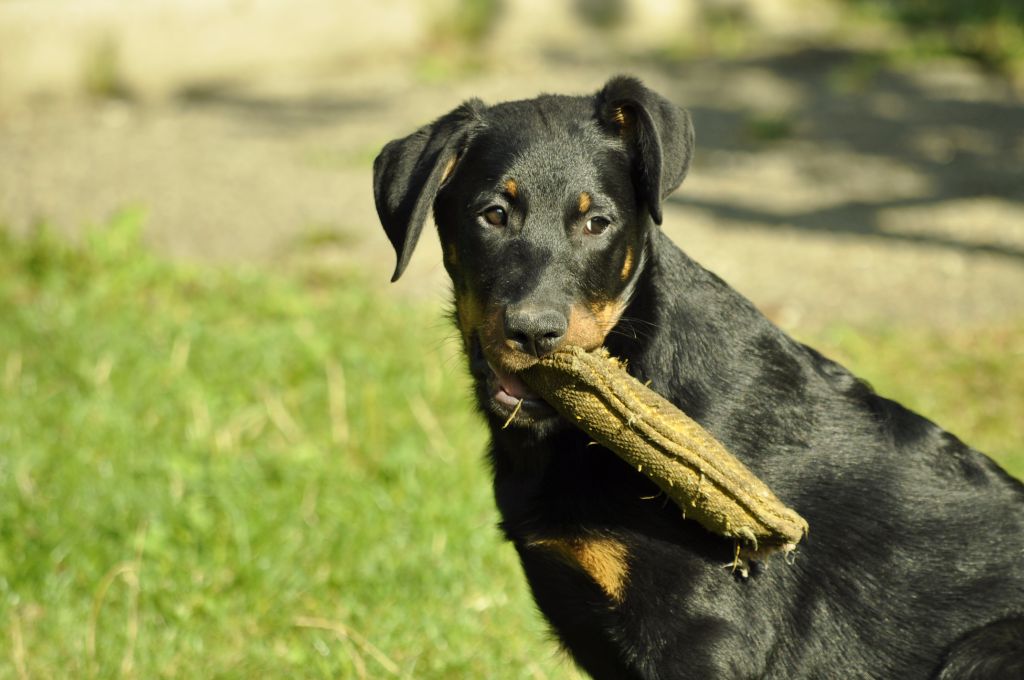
(962, 134)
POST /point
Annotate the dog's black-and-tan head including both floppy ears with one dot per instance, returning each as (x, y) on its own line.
(544, 208)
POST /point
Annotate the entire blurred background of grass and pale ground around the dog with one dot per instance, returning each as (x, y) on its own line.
(230, 447)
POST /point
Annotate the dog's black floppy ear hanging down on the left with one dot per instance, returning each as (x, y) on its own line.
(409, 173)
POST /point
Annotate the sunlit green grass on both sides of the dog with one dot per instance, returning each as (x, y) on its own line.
(230, 474)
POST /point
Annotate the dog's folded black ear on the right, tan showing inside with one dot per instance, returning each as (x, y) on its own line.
(660, 136)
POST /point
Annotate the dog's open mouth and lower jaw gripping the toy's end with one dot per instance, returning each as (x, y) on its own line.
(505, 394)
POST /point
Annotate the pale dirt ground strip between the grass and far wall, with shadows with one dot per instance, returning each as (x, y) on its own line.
(828, 188)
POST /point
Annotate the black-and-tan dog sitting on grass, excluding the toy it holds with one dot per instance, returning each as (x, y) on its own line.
(547, 211)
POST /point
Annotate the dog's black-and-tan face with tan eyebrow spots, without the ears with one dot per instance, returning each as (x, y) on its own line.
(542, 238)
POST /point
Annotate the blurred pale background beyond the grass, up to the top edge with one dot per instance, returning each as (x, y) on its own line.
(888, 133)
